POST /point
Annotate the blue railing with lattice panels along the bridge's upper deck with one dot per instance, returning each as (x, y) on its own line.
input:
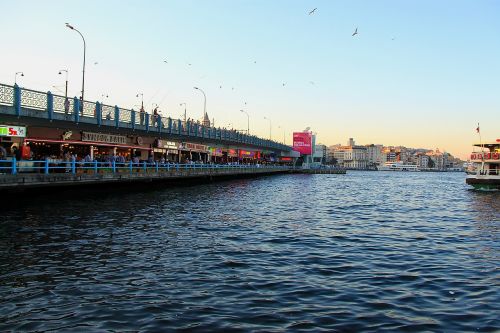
(31, 103)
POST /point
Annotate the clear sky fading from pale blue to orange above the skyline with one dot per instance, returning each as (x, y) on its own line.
(419, 73)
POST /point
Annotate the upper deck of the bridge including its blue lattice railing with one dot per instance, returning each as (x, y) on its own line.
(28, 107)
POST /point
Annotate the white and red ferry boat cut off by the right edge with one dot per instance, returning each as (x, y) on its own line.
(486, 175)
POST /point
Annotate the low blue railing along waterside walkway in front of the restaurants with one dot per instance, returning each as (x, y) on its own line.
(49, 166)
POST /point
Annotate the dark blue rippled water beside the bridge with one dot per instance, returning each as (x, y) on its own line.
(366, 251)
